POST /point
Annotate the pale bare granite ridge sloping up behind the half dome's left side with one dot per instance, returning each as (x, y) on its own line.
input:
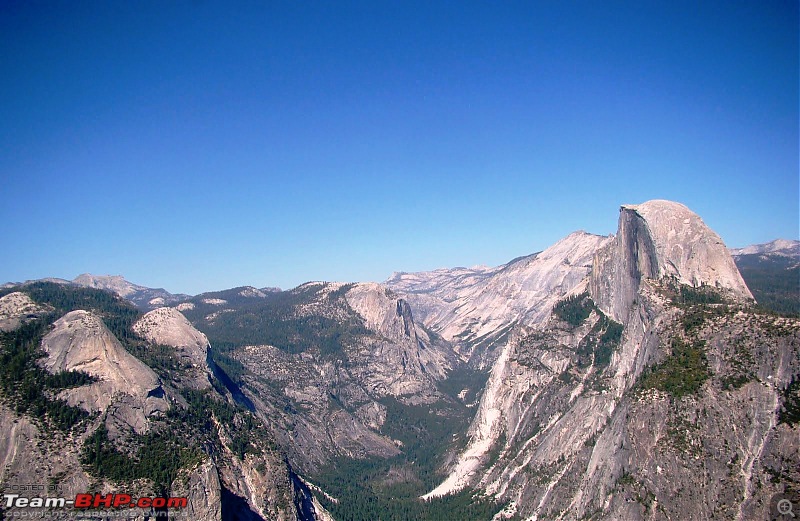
(475, 308)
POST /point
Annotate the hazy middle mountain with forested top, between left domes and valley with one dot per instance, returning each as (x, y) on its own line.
(340, 353)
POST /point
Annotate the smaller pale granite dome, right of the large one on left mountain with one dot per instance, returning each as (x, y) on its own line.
(167, 326)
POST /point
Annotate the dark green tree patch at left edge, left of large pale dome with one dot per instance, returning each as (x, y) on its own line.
(29, 389)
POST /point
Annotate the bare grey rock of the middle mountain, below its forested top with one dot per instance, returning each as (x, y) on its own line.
(325, 406)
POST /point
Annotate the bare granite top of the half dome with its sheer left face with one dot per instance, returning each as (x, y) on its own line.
(660, 239)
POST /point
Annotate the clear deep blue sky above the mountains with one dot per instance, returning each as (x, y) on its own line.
(199, 145)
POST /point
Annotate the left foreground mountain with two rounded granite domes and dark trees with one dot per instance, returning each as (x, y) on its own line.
(89, 405)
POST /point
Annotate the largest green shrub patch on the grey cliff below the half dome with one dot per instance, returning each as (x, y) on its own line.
(682, 373)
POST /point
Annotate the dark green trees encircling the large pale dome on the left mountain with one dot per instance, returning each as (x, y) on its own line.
(176, 441)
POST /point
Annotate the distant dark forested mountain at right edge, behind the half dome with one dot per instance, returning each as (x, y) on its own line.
(772, 271)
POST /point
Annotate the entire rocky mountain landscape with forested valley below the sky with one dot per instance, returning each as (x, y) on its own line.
(649, 374)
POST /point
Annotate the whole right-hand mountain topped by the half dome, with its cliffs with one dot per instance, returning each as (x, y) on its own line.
(657, 382)
